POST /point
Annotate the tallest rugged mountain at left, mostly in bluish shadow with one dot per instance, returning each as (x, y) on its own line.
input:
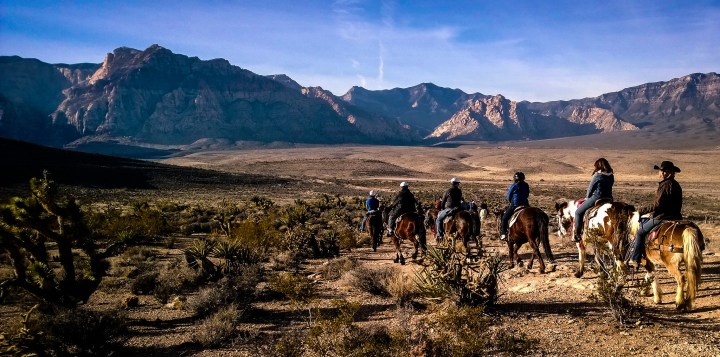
(161, 97)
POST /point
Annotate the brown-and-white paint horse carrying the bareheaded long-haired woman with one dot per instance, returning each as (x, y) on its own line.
(608, 221)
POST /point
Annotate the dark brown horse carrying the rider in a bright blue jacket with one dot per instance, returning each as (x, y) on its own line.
(527, 225)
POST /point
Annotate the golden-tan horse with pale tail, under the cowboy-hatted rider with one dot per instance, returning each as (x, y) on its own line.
(673, 243)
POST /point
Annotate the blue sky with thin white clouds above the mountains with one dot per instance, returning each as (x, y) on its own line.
(525, 50)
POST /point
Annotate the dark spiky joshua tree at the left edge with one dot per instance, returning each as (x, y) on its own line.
(50, 248)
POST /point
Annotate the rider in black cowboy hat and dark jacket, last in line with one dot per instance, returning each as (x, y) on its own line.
(667, 206)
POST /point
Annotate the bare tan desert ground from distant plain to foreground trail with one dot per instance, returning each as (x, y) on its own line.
(554, 308)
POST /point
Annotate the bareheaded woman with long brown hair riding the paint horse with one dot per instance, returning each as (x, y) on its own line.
(600, 187)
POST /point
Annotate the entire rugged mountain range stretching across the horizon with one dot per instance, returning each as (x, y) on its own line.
(155, 96)
